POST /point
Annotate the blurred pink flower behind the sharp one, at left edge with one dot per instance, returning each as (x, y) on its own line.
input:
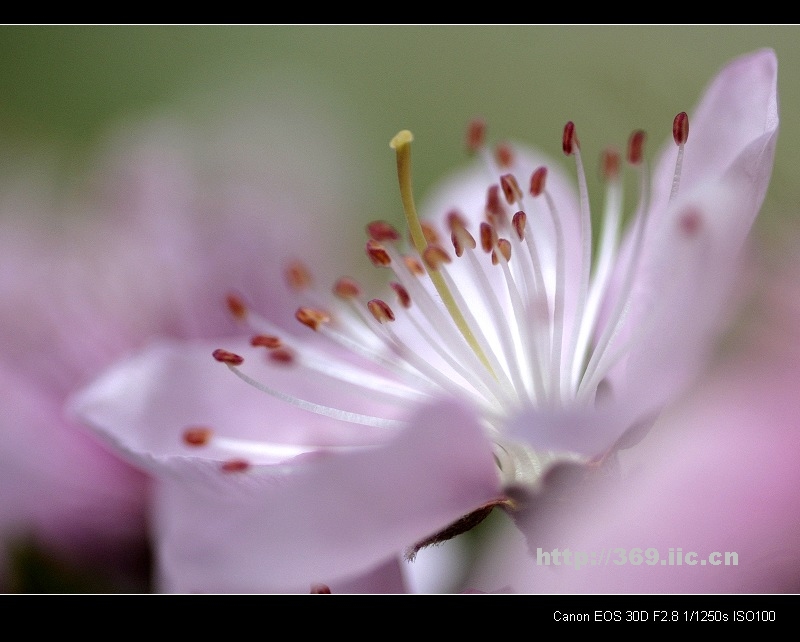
(164, 227)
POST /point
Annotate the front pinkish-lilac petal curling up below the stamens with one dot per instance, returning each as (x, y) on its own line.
(333, 516)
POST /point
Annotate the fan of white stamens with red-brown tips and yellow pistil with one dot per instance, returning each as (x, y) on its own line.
(514, 311)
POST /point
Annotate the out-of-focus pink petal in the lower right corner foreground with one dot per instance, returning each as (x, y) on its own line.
(726, 481)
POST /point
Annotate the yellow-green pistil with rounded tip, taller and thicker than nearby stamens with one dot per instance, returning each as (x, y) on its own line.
(401, 143)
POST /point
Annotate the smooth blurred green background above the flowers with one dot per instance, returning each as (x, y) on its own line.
(63, 88)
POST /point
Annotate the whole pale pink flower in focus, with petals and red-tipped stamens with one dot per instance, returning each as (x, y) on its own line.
(396, 422)
